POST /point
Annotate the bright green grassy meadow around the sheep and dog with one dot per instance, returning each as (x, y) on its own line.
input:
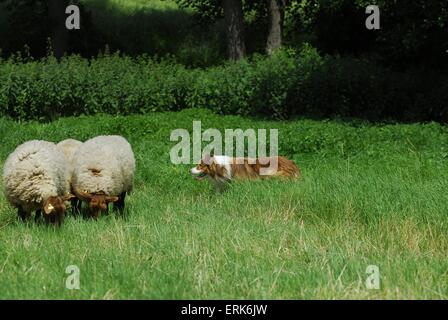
(370, 195)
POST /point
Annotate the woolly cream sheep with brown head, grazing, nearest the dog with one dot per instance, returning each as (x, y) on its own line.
(103, 173)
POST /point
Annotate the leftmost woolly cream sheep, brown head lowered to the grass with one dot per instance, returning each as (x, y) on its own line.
(35, 178)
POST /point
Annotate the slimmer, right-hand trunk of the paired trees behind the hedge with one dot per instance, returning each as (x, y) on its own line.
(276, 18)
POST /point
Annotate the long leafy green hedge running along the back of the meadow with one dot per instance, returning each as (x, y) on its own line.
(285, 85)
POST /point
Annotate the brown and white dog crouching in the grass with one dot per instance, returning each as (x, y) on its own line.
(222, 169)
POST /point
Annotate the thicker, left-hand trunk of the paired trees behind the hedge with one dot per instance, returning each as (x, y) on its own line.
(234, 20)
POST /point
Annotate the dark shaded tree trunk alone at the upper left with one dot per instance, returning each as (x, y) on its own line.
(59, 33)
